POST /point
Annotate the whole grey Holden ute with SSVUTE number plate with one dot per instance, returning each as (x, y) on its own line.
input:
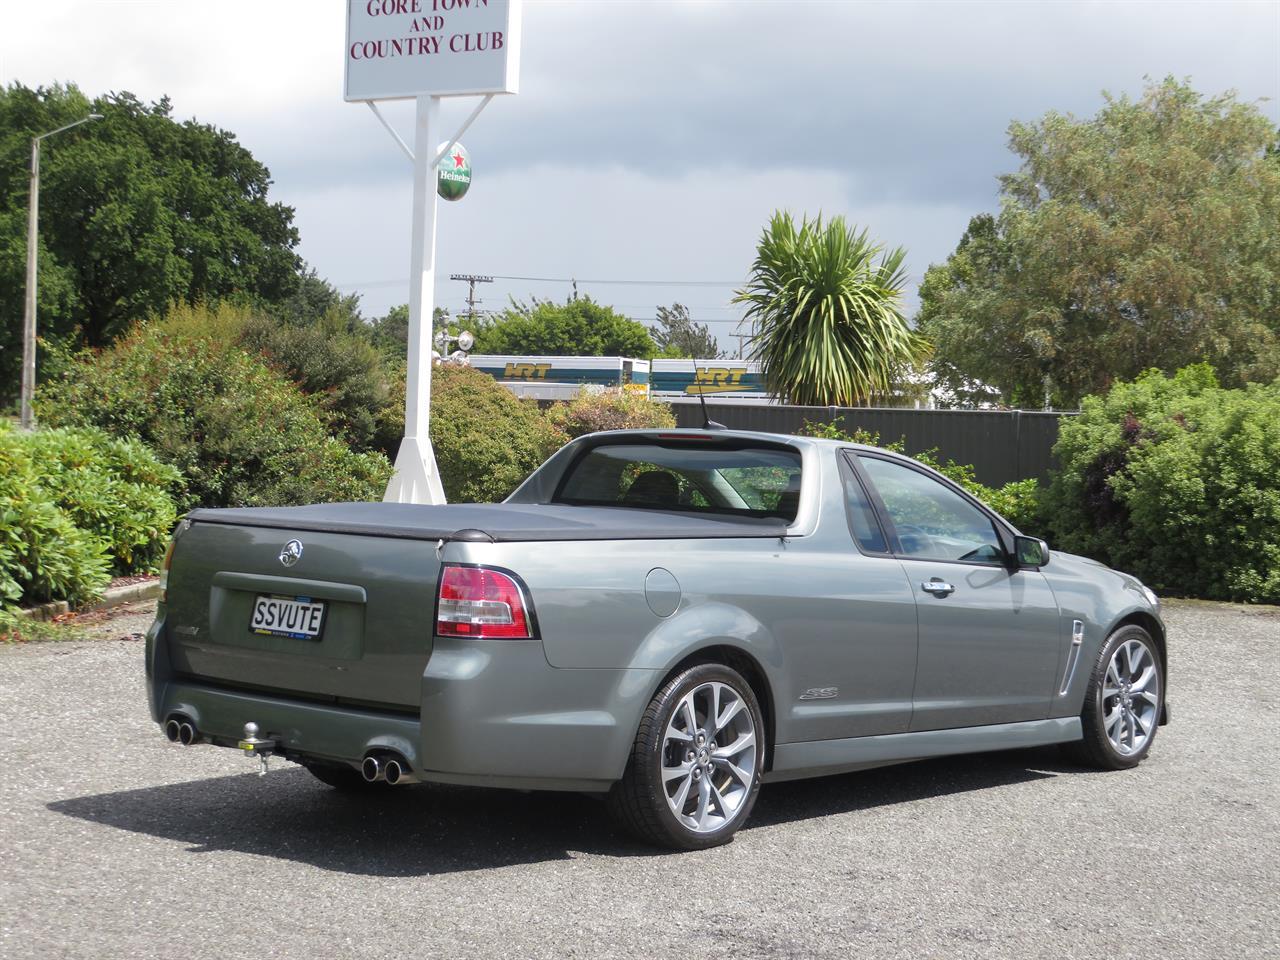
(669, 619)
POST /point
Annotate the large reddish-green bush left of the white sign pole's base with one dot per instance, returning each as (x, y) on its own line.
(240, 432)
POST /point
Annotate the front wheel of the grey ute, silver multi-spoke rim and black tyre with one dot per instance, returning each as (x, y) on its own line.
(1123, 703)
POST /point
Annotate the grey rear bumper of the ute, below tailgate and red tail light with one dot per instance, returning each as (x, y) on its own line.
(495, 714)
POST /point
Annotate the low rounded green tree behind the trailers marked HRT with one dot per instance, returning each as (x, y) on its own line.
(580, 327)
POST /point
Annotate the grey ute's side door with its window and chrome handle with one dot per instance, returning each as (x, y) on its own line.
(989, 632)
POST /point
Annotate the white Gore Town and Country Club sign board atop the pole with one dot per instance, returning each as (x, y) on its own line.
(399, 49)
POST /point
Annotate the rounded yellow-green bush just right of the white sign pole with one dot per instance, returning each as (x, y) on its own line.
(486, 440)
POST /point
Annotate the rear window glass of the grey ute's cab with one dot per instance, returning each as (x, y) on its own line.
(755, 482)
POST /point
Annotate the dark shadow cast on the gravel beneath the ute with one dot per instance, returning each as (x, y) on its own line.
(429, 830)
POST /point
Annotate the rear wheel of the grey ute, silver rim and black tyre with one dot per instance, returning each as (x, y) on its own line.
(694, 772)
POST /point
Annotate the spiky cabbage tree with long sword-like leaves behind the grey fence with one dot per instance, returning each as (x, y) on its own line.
(826, 307)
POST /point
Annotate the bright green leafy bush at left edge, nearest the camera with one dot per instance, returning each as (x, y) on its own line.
(44, 556)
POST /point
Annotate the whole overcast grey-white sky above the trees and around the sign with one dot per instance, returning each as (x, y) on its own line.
(651, 140)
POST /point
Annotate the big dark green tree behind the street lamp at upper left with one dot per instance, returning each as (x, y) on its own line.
(136, 212)
